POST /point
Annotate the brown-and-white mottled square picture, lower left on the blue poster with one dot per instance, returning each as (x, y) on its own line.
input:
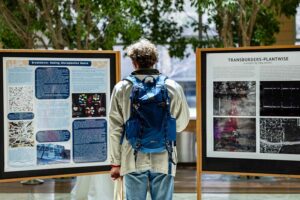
(21, 134)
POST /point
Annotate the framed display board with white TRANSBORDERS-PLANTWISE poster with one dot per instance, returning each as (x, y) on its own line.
(250, 108)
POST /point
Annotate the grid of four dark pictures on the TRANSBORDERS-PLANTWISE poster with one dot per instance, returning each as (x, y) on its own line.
(234, 123)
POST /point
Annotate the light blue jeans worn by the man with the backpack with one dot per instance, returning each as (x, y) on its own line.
(161, 185)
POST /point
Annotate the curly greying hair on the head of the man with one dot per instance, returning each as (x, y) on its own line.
(144, 53)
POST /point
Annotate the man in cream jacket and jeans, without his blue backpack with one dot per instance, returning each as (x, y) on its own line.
(143, 169)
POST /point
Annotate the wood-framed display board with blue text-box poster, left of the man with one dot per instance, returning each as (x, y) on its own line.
(54, 112)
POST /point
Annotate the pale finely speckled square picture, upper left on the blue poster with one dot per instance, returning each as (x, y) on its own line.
(20, 99)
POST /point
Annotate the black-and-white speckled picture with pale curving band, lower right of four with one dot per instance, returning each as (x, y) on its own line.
(280, 135)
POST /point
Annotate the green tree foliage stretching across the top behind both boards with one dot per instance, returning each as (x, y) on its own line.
(94, 24)
